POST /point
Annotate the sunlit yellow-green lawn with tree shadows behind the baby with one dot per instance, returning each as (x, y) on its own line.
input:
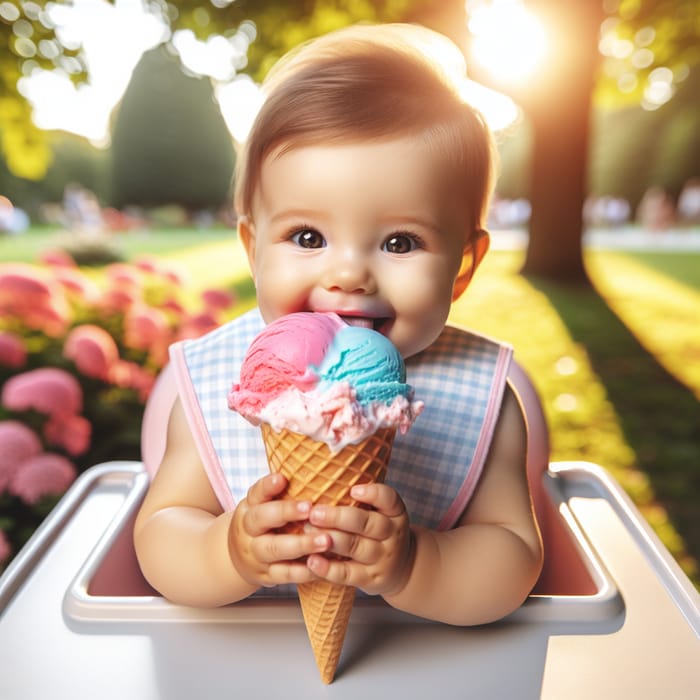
(618, 367)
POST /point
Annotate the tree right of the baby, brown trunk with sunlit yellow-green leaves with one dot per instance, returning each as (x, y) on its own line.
(650, 34)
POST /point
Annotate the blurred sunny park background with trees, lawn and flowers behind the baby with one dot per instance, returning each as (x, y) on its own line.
(119, 239)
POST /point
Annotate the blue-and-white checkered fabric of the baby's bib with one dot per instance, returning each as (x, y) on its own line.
(456, 377)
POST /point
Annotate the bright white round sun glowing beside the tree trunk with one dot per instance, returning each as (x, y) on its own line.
(509, 41)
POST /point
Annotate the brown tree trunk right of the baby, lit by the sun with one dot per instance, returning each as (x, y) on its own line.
(560, 110)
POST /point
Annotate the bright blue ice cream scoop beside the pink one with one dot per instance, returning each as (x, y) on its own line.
(369, 362)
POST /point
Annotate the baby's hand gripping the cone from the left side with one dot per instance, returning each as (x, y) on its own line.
(261, 554)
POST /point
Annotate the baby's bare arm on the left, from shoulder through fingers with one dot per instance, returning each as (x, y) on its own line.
(195, 554)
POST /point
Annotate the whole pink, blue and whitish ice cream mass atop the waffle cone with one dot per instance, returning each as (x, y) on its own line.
(313, 374)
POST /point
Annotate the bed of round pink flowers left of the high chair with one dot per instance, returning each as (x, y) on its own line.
(78, 359)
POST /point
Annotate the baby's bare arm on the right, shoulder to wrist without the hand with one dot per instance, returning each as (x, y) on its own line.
(484, 568)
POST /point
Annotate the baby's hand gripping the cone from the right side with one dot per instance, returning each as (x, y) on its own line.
(376, 544)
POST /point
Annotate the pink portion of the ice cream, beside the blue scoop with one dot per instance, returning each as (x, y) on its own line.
(281, 358)
